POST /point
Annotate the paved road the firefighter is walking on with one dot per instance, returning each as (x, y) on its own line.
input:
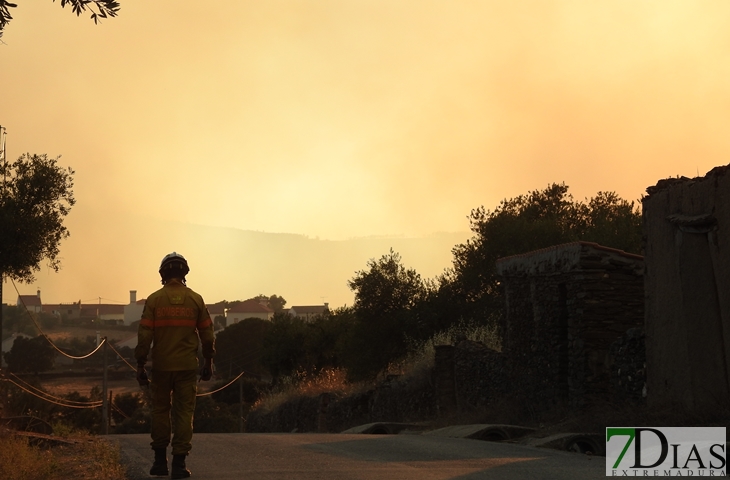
(256, 456)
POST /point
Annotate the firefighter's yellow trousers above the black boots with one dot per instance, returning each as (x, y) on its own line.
(173, 405)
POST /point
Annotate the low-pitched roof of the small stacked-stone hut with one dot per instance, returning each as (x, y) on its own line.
(564, 257)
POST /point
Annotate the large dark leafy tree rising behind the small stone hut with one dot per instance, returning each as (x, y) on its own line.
(529, 222)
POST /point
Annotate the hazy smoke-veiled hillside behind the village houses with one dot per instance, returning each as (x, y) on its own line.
(226, 263)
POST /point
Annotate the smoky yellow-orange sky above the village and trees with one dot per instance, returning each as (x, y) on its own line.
(344, 119)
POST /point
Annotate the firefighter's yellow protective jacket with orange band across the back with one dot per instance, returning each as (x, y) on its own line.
(173, 322)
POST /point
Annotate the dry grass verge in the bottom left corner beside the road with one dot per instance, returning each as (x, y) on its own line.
(82, 458)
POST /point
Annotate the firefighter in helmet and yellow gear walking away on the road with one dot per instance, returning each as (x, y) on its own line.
(174, 321)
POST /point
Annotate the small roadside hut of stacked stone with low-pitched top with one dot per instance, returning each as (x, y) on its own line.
(565, 306)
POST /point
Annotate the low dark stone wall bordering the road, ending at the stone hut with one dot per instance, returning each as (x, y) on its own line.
(474, 375)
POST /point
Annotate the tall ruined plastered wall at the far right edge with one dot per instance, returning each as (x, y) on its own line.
(687, 228)
